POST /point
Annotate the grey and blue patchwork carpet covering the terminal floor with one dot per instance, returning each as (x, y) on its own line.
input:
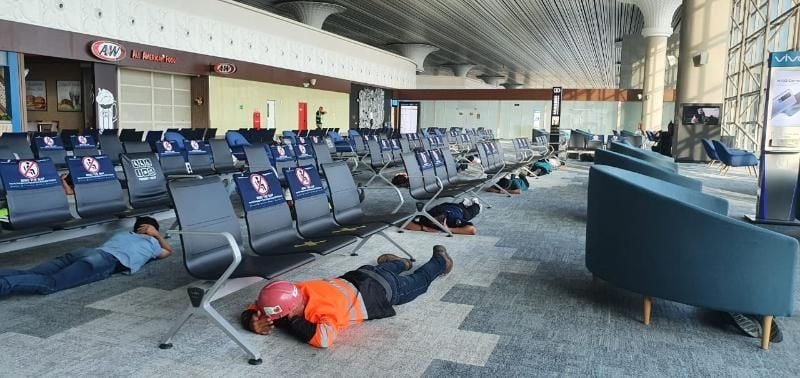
(518, 303)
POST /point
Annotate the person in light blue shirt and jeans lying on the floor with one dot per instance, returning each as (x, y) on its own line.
(125, 251)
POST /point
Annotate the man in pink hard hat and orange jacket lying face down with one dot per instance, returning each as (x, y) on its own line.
(316, 311)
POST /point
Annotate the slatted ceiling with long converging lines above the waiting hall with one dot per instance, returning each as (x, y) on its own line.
(539, 43)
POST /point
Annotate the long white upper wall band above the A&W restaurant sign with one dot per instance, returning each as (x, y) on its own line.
(220, 28)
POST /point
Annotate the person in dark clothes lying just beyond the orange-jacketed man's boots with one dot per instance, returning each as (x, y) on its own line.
(455, 216)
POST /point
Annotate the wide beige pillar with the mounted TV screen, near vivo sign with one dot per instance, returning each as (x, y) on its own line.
(701, 71)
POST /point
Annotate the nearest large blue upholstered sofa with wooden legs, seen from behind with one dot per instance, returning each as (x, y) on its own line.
(698, 256)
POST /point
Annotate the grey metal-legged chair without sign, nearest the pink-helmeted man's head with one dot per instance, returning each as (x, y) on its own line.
(211, 240)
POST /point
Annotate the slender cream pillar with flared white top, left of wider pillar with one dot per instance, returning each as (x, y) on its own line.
(657, 28)
